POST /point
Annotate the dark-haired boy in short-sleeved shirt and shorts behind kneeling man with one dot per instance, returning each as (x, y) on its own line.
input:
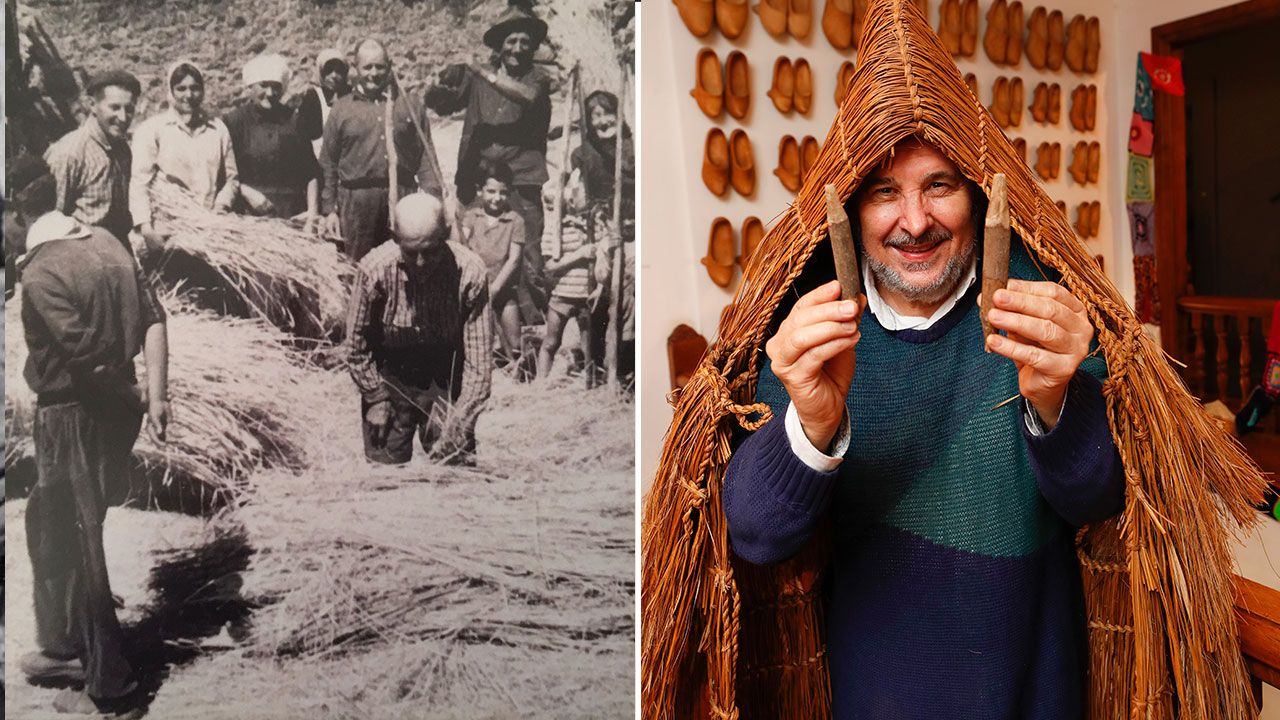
(497, 234)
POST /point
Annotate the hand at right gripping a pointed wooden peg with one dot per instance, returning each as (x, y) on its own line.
(1049, 338)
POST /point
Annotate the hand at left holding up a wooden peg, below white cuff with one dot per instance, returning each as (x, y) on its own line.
(813, 356)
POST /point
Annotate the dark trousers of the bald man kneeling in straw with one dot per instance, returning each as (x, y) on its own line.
(422, 404)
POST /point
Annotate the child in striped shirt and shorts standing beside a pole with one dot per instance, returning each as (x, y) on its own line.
(569, 274)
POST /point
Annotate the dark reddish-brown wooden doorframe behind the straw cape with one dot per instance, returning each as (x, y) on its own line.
(1171, 149)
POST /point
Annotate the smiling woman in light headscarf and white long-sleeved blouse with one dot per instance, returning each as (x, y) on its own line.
(184, 145)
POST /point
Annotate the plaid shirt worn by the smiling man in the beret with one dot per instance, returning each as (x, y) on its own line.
(93, 177)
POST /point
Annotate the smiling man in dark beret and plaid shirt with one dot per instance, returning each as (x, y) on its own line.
(92, 163)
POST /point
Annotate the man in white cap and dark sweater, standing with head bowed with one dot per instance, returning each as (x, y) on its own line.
(86, 315)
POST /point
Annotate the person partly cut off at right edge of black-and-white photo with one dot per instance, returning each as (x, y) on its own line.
(597, 160)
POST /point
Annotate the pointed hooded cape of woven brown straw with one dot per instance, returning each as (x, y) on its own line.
(723, 639)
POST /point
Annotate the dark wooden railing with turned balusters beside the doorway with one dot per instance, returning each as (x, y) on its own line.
(1208, 315)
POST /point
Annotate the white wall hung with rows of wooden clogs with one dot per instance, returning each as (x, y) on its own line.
(678, 209)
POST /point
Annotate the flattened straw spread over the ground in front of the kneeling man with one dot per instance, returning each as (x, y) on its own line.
(528, 555)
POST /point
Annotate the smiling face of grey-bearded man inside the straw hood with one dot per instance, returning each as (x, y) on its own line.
(917, 225)
